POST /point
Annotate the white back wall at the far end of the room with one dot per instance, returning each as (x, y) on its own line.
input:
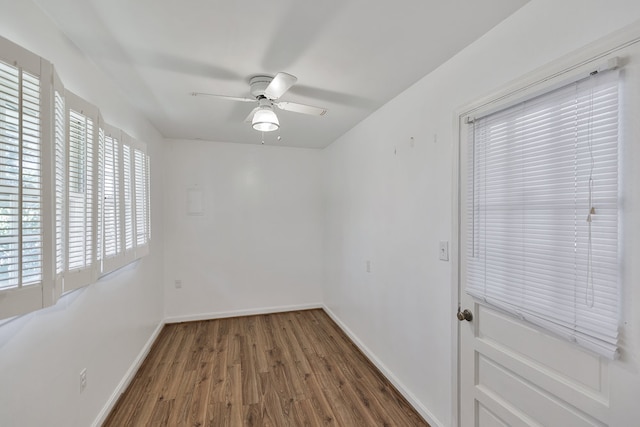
(258, 244)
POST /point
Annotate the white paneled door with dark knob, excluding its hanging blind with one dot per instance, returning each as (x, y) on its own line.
(514, 374)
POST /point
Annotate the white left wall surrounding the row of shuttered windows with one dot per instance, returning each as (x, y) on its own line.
(102, 327)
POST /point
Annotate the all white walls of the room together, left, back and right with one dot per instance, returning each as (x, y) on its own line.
(275, 216)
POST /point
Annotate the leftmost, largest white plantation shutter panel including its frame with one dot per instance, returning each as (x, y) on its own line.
(23, 95)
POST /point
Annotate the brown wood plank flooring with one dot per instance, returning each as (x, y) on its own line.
(285, 369)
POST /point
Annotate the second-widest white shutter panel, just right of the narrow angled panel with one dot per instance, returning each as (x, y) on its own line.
(81, 192)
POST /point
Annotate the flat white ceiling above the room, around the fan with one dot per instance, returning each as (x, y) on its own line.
(350, 56)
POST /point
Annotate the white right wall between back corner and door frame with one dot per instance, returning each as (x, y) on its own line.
(389, 195)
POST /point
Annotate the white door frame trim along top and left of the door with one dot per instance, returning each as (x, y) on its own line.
(547, 75)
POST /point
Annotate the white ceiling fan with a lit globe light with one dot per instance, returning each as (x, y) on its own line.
(266, 92)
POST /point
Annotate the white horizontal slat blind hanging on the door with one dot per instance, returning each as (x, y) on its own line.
(543, 211)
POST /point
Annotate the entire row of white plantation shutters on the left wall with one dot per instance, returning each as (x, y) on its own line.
(70, 188)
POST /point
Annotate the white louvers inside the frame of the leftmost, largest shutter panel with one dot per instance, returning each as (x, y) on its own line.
(20, 179)
